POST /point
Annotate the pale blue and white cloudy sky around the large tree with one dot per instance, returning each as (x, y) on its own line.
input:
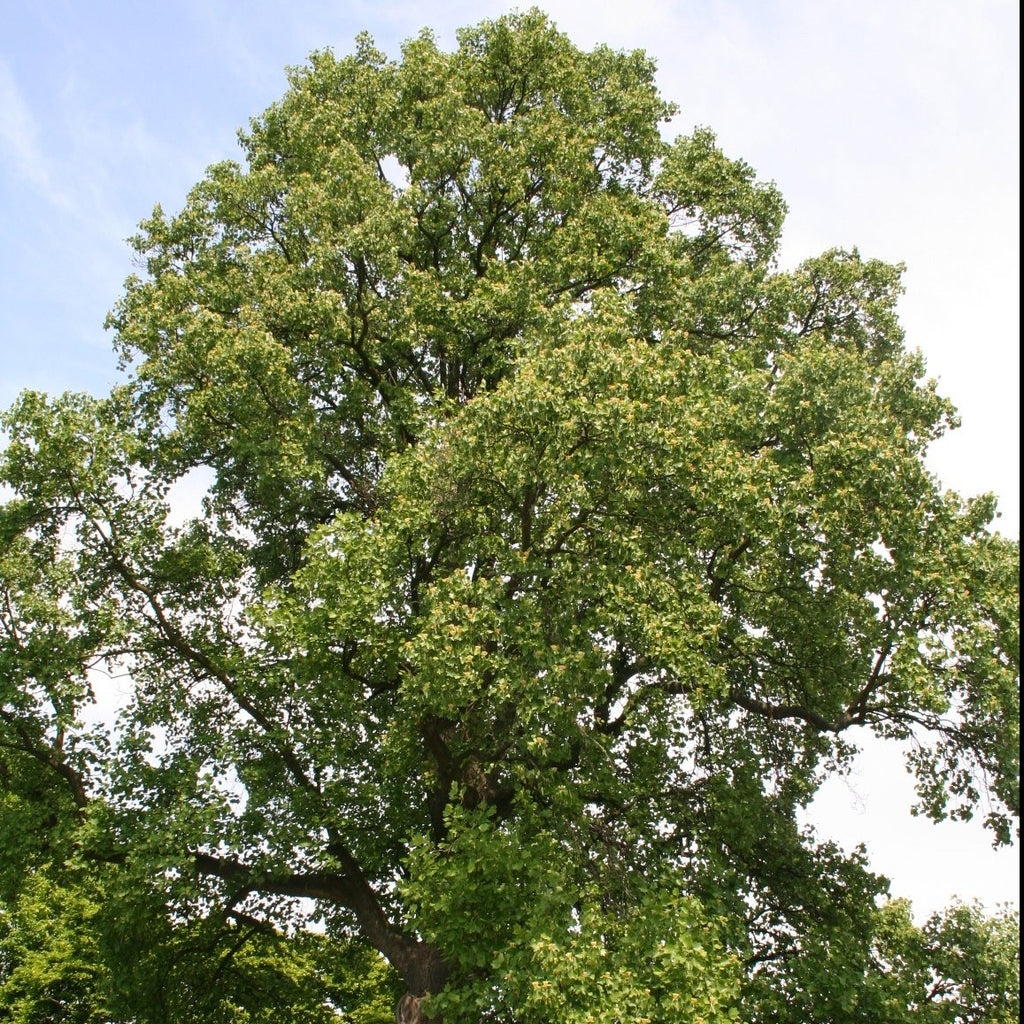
(890, 125)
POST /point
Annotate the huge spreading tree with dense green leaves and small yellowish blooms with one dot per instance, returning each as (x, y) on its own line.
(556, 546)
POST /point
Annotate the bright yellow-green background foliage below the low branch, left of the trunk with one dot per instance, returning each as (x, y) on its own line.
(72, 952)
